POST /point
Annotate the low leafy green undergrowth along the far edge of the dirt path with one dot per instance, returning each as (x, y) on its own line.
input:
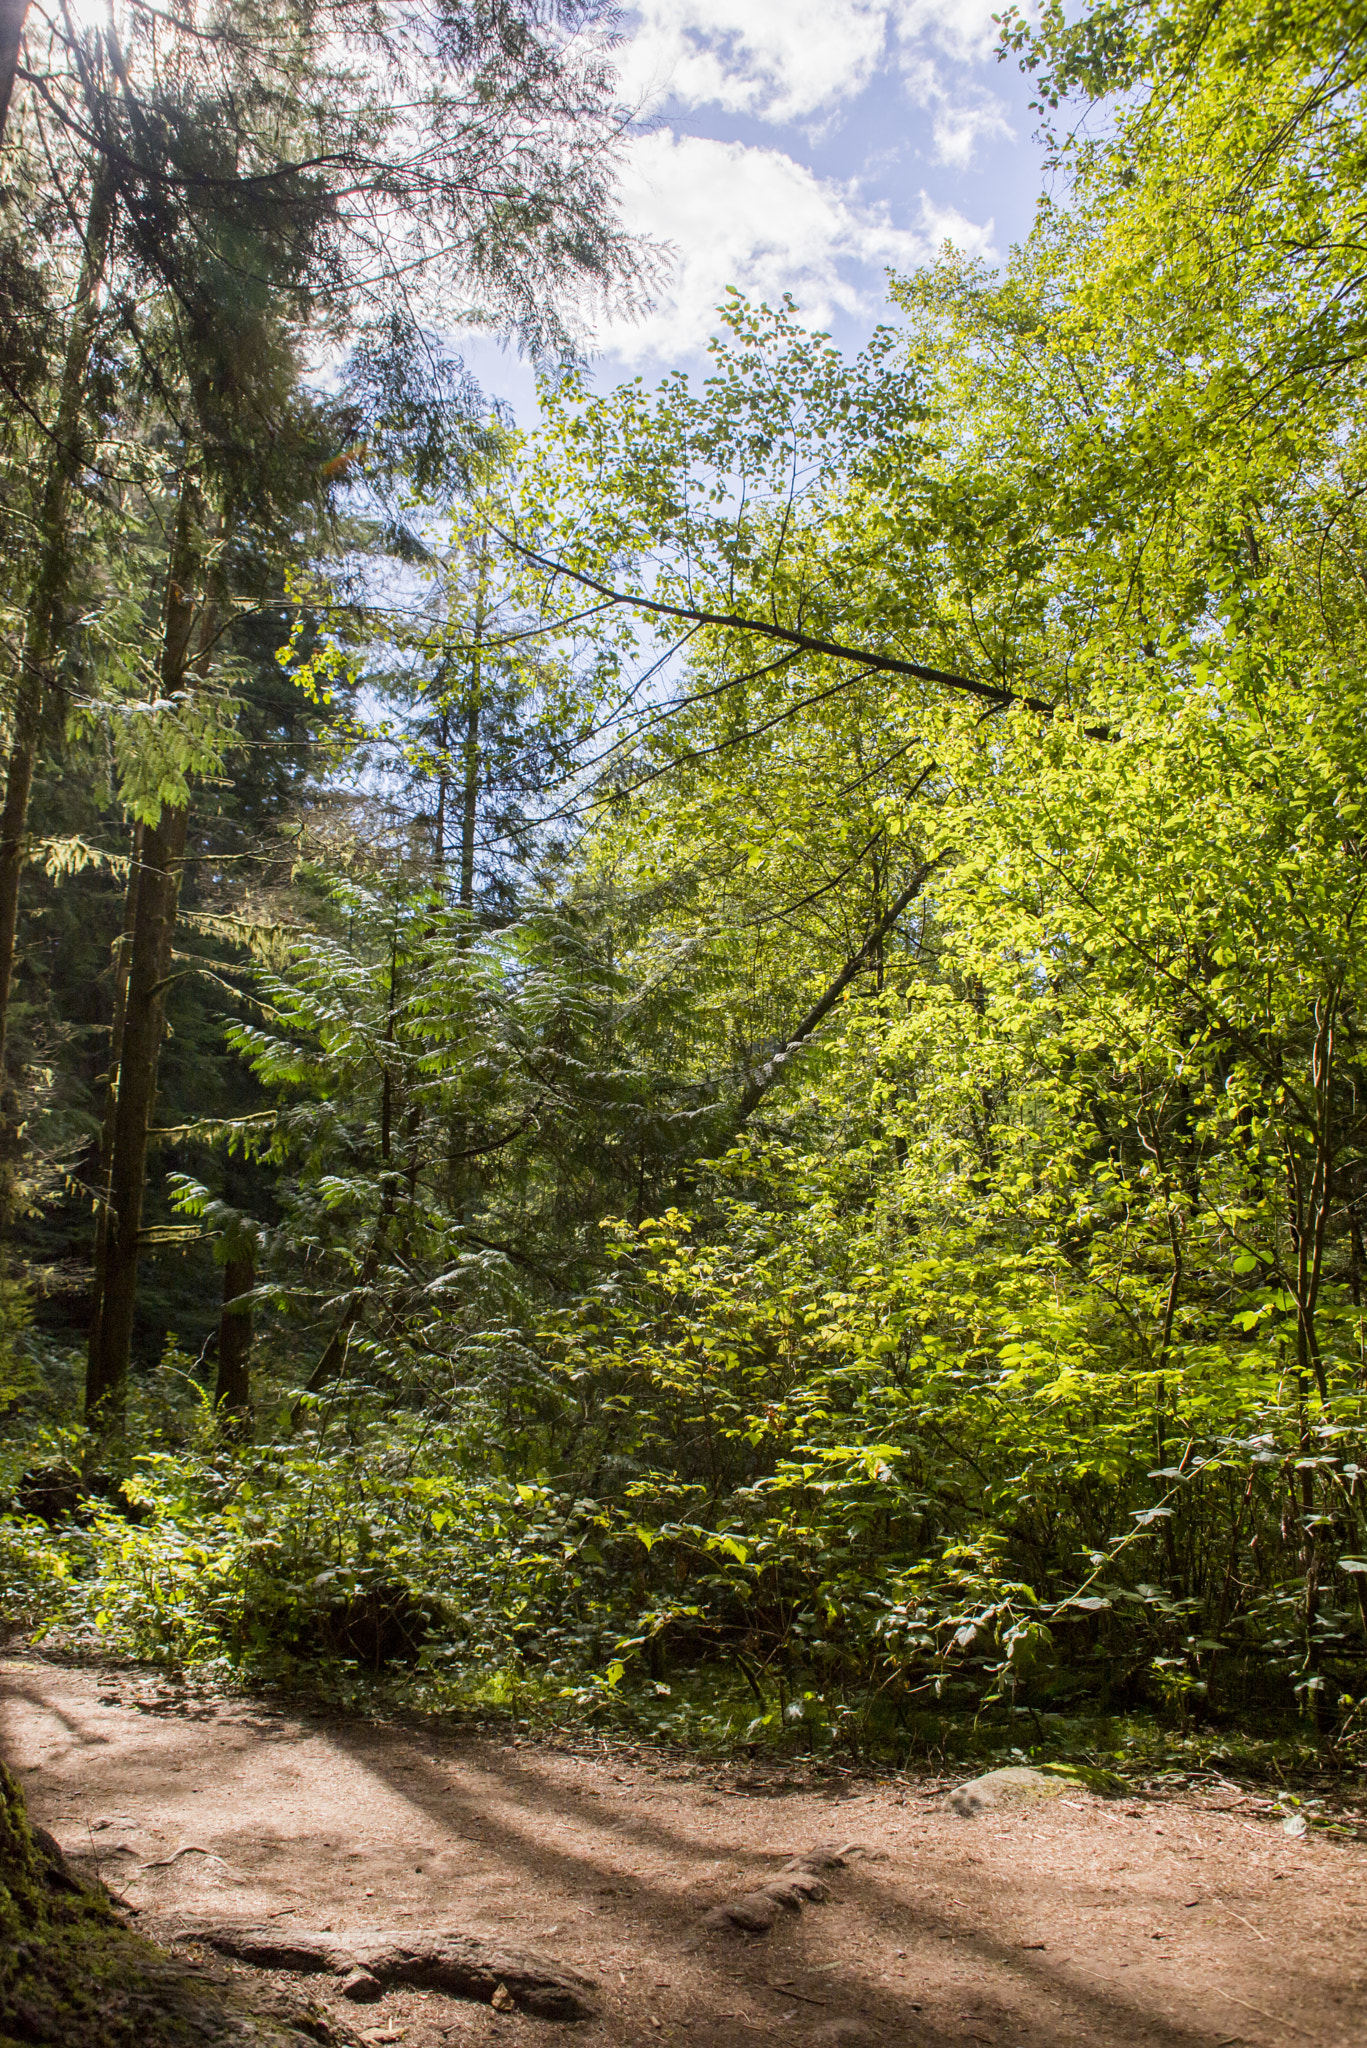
(354, 1562)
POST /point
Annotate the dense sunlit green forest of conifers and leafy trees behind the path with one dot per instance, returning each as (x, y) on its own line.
(692, 1066)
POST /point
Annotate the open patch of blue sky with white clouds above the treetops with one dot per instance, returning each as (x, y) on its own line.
(806, 146)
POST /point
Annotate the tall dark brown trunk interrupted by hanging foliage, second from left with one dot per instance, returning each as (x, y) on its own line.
(155, 929)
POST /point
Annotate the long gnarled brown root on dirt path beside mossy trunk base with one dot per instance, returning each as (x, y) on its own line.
(427, 1959)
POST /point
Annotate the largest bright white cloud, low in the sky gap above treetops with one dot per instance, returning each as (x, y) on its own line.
(768, 224)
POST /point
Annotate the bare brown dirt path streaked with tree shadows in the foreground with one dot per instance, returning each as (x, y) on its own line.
(1081, 1922)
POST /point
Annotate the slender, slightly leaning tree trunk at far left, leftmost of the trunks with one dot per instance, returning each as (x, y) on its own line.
(48, 583)
